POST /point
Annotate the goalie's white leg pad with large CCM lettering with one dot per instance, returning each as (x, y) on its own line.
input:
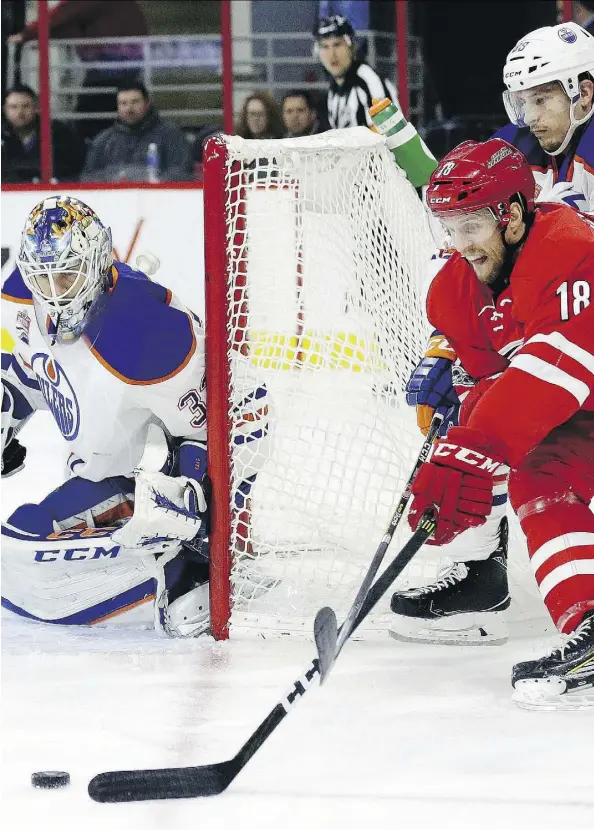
(59, 565)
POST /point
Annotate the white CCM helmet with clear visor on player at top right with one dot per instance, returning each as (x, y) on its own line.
(553, 54)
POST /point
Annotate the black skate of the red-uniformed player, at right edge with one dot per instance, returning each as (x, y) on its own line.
(557, 680)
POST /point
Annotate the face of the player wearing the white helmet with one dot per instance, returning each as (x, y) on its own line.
(544, 110)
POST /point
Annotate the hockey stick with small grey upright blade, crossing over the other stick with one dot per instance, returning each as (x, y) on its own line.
(329, 641)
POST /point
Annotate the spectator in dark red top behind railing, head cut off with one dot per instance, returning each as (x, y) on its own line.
(96, 19)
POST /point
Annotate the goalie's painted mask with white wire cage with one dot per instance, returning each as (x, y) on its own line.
(65, 259)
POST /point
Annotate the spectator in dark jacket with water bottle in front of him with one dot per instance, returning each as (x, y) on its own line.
(122, 151)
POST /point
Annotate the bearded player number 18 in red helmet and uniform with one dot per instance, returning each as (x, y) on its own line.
(515, 302)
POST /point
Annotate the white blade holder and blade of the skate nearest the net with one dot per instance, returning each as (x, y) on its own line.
(461, 630)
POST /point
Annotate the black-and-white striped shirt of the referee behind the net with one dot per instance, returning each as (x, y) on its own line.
(348, 104)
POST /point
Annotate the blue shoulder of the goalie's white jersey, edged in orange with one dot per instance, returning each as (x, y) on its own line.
(136, 334)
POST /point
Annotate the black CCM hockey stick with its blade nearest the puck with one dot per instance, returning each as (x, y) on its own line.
(212, 779)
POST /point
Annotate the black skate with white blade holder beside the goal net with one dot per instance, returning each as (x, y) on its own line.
(462, 607)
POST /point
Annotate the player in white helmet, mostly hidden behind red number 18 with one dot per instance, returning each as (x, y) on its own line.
(549, 81)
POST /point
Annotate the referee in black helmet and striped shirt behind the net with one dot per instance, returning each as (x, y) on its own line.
(353, 82)
